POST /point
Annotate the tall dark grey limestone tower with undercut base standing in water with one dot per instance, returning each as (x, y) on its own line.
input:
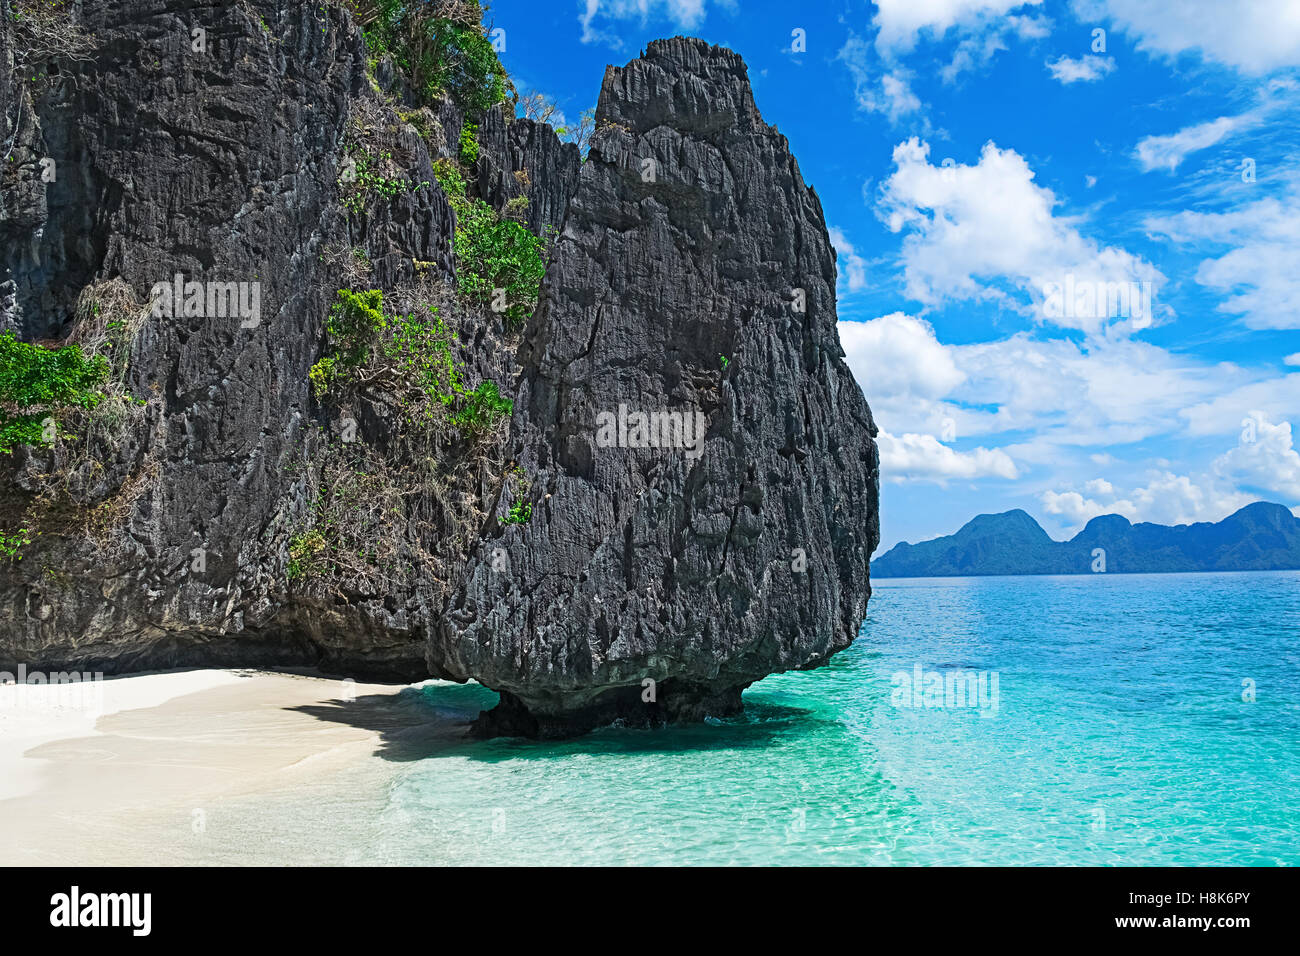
(694, 275)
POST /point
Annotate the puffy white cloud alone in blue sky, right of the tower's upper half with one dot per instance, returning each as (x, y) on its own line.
(970, 227)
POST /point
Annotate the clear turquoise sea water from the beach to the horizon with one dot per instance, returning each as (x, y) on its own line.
(1120, 737)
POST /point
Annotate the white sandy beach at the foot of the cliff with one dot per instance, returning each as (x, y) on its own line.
(155, 776)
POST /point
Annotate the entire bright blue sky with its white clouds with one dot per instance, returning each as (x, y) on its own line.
(977, 159)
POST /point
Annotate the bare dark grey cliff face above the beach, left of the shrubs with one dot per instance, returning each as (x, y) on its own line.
(216, 166)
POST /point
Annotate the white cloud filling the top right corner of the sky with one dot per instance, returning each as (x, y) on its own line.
(1254, 37)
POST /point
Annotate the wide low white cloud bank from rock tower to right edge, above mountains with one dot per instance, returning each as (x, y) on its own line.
(1072, 400)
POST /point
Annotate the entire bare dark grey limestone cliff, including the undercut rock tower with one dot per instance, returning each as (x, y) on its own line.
(691, 280)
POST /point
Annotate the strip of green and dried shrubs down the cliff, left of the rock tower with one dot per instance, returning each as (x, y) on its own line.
(410, 491)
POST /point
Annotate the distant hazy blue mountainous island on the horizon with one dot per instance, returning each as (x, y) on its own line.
(1259, 538)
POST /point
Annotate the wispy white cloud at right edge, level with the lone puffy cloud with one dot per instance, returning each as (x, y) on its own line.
(1259, 275)
